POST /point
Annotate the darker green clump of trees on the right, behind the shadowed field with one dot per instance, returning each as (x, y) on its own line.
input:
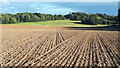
(92, 18)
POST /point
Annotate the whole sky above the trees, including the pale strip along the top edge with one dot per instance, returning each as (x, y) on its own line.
(6, 6)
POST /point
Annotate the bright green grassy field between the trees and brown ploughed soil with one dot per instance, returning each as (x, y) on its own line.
(57, 23)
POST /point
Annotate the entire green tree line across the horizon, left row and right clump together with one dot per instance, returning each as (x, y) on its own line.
(92, 19)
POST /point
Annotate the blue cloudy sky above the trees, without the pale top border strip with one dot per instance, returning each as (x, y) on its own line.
(110, 8)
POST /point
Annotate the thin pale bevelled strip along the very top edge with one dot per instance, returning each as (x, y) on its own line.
(59, 0)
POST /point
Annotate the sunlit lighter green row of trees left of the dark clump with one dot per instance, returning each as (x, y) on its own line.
(28, 17)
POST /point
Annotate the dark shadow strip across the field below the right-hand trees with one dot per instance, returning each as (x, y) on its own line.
(103, 28)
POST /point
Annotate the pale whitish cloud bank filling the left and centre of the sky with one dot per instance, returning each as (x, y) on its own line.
(41, 7)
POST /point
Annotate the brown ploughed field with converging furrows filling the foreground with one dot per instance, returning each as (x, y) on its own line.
(58, 46)
